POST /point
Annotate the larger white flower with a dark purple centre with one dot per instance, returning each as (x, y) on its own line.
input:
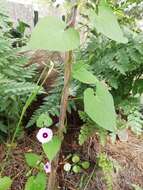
(44, 135)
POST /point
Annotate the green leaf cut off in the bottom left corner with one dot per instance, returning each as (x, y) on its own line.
(5, 183)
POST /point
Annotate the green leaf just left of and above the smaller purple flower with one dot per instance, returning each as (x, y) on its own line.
(32, 159)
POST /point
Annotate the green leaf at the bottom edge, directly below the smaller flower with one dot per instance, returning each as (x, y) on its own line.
(38, 182)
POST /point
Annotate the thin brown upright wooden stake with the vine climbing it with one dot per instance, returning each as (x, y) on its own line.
(53, 179)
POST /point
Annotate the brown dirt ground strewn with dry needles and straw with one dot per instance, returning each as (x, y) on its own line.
(129, 155)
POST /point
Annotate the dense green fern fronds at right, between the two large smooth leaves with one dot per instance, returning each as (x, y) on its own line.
(117, 64)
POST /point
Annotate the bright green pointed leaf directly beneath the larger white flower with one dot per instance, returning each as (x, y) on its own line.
(51, 148)
